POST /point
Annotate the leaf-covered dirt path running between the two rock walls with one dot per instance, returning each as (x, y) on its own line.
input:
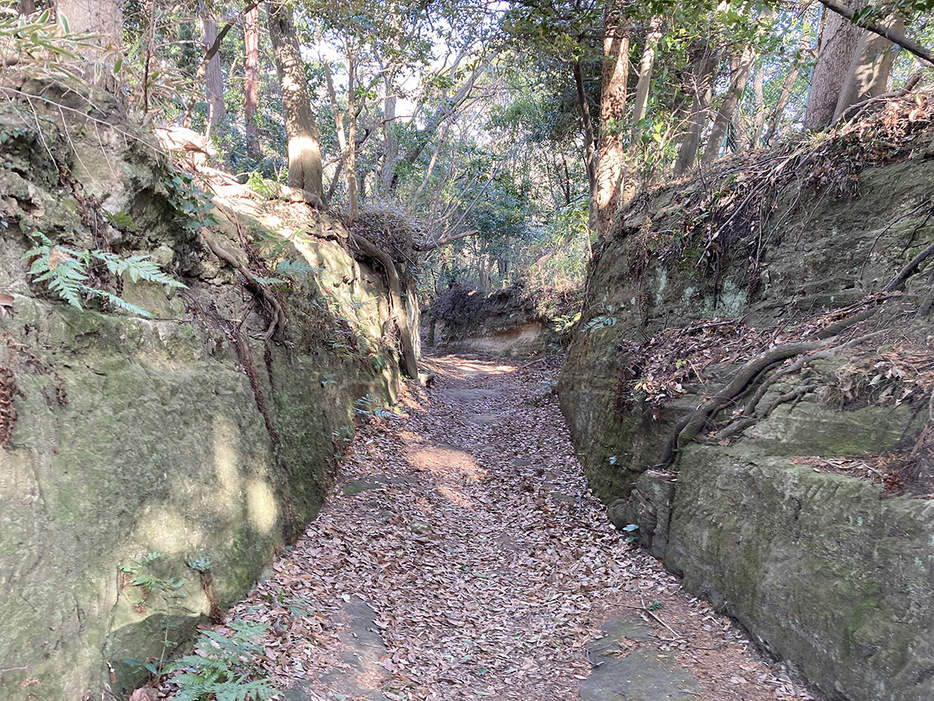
(460, 556)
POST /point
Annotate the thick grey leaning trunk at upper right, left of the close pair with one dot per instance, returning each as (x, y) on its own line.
(839, 42)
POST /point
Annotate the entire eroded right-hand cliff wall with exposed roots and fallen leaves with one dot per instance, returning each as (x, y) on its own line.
(750, 384)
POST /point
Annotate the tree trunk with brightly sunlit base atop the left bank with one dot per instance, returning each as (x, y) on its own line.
(305, 170)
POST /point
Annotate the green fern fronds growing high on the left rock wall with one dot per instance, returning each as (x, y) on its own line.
(66, 272)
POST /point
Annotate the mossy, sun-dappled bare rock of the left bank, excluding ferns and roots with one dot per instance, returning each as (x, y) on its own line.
(144, 450)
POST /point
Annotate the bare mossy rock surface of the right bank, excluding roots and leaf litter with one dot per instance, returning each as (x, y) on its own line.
(826, 570)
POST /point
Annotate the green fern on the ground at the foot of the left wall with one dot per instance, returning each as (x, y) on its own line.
(224, 667)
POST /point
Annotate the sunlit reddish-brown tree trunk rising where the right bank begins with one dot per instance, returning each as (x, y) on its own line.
(612, 163)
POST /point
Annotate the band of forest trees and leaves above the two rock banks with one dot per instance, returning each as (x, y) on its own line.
(507, 135)
